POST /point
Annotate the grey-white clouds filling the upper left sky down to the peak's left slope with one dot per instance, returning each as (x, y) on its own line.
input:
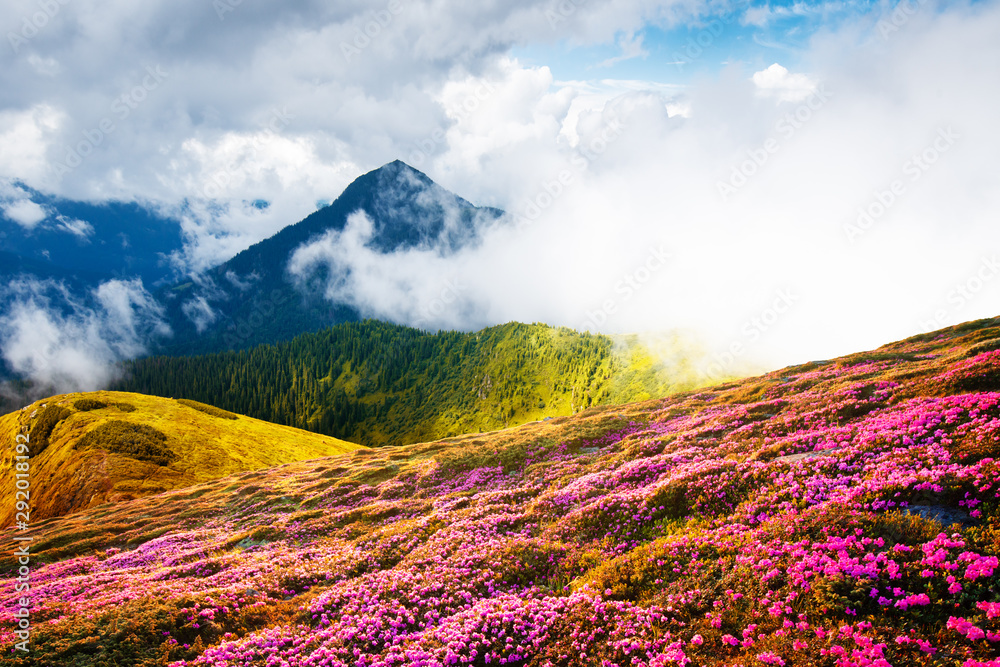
(222, 81)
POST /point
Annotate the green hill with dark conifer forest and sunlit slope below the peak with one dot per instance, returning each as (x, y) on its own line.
(382, 384)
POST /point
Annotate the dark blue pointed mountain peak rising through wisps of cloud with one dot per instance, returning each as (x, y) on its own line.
(406, 210)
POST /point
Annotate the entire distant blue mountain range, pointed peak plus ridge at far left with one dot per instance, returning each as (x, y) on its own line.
(249, 299)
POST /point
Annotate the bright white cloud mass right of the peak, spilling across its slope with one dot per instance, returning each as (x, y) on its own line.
(782, 233)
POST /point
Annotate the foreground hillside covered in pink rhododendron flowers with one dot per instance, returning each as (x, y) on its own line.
(840, 513)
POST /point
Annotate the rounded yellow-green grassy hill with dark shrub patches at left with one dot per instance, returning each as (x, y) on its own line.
(92, 448)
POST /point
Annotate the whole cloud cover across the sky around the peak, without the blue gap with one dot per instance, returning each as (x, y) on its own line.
(831, 196)
